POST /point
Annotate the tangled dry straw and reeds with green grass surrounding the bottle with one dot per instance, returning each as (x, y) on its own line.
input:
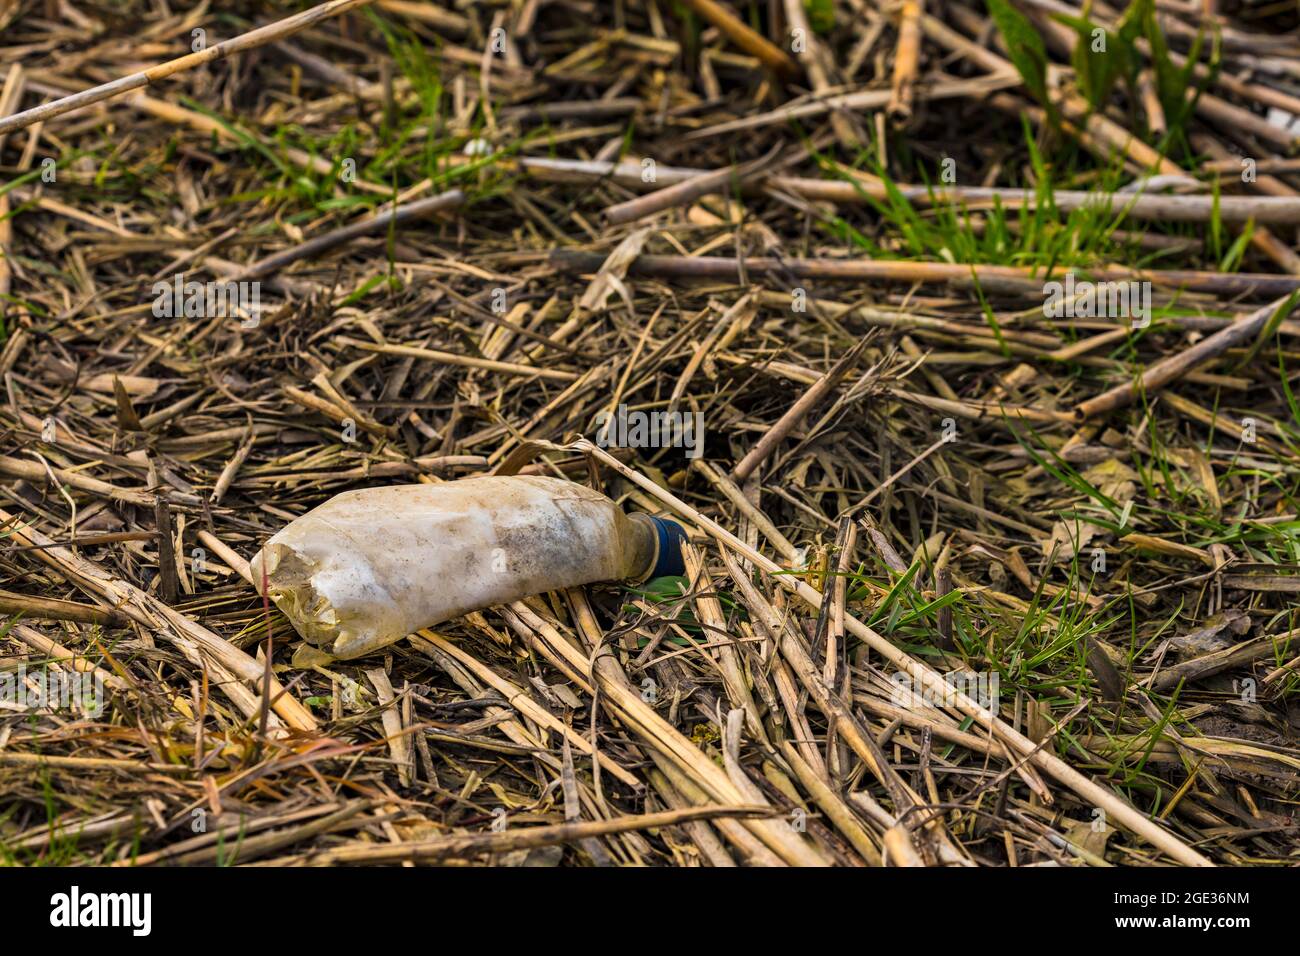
(783, 217)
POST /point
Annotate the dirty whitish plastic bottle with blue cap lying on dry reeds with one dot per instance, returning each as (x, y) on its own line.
(369, 568)
